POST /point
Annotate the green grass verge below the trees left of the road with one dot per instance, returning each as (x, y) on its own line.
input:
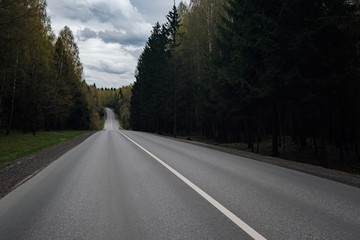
(18, 145)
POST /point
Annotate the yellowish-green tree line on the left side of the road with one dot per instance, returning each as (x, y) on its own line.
(41, 83)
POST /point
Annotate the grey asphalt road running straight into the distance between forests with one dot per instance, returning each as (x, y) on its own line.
(132, 185)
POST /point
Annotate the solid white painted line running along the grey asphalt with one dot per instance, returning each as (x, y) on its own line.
(255, 235)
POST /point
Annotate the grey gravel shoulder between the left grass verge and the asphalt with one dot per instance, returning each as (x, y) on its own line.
(14, 173)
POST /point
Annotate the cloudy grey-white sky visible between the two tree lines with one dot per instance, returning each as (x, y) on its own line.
(110, 34)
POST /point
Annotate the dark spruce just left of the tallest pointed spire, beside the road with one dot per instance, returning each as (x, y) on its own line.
(149, 101)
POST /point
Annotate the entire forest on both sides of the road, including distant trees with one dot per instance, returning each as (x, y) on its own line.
(278, 73)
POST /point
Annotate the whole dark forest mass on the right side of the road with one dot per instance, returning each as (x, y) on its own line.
(255, 71)
